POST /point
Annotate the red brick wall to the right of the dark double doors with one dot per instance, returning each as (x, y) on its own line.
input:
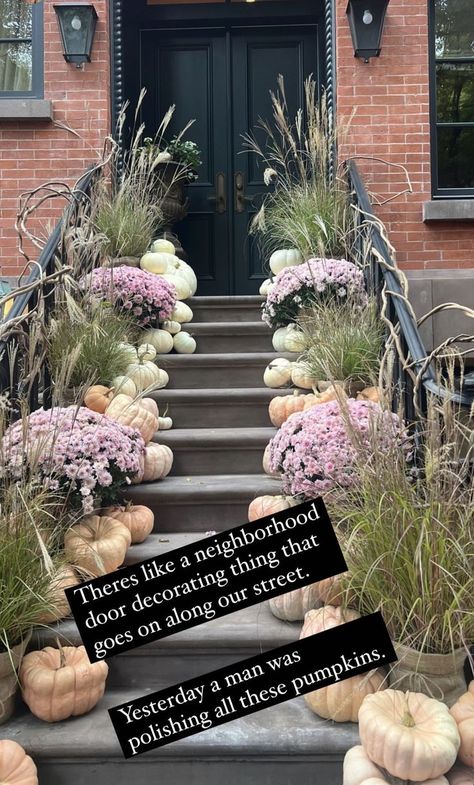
(391, 122)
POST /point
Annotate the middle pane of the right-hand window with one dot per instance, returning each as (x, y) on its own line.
(455, 92)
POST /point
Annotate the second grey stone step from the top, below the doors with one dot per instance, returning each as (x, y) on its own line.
(214, 337)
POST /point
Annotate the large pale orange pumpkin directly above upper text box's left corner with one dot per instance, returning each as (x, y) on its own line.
(97, 544)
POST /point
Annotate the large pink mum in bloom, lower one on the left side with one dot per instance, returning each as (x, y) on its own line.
(74, 450)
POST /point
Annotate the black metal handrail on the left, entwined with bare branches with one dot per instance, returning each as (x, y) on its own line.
(26, 301)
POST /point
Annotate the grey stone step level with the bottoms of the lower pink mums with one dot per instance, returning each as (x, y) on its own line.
(202, 503)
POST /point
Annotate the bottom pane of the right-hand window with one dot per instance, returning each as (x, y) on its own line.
(455, 157)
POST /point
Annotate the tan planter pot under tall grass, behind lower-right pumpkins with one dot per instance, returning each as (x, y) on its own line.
(439, 676)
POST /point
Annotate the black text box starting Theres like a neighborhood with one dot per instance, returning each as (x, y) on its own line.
(206, 580)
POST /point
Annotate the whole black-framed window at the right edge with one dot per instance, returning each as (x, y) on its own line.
(453, 99)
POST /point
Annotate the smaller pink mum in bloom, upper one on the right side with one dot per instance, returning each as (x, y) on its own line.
(318, 280)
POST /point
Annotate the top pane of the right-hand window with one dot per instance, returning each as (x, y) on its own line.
(454, 28)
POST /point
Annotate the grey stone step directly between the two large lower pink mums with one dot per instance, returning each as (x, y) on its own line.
(216, 450)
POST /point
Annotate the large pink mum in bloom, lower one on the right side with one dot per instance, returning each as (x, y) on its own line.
(315, 451)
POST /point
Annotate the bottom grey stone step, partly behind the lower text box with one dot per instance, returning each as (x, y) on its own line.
(282, 745)
